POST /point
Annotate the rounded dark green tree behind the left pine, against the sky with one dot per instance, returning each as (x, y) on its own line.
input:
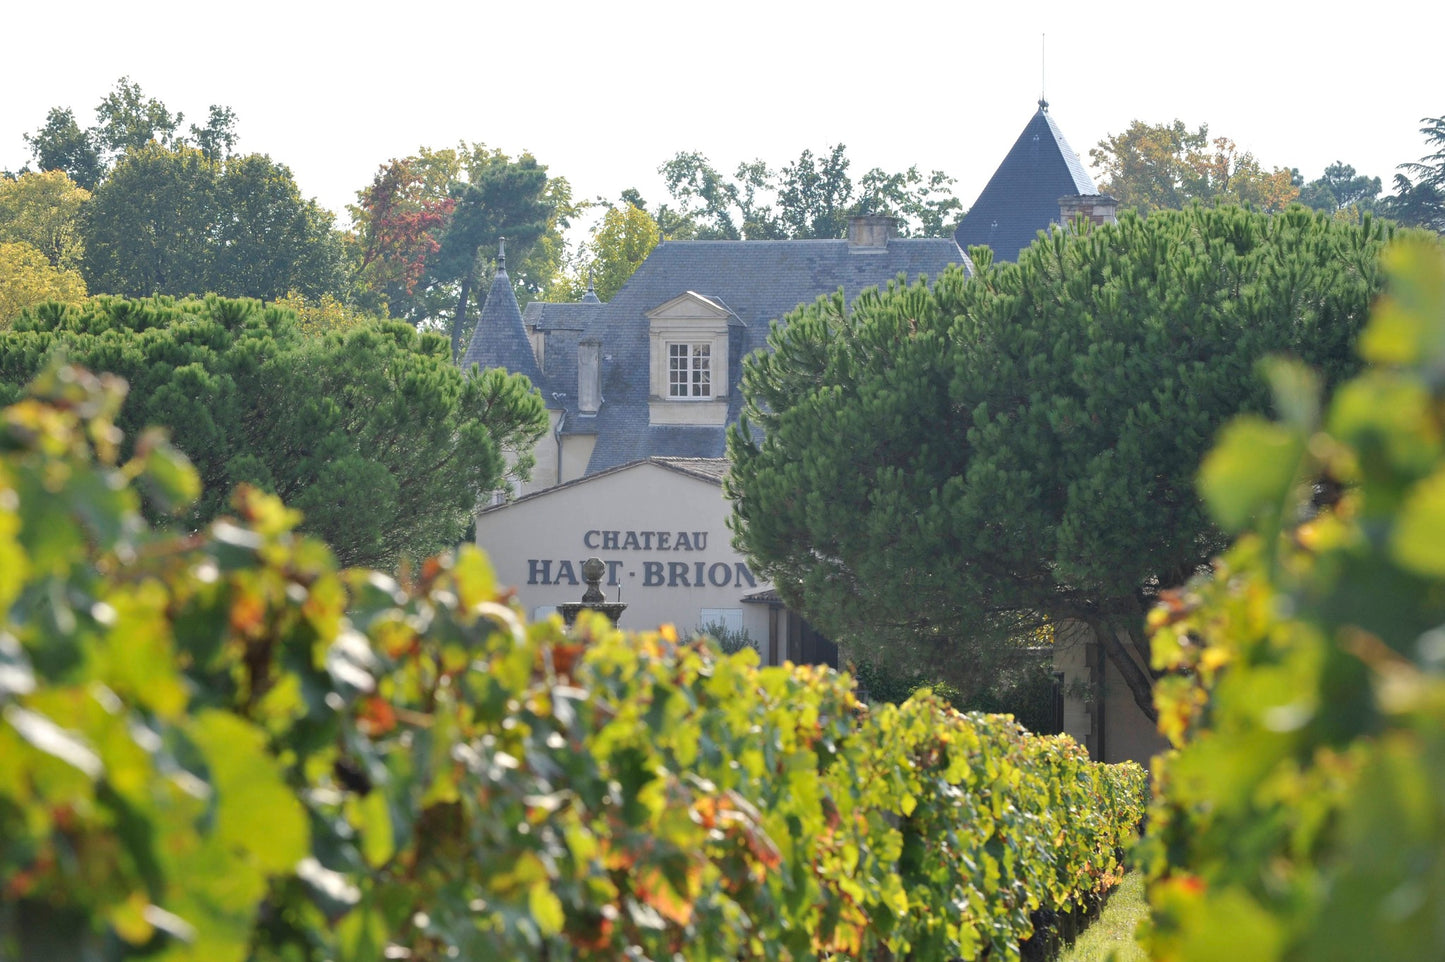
(170, 220)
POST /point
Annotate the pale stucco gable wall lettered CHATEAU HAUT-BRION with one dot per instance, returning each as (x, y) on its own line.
(538, 545)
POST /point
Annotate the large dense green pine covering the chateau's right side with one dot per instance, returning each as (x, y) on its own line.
(1021, 447)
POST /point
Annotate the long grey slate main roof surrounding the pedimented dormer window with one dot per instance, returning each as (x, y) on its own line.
(756, 281)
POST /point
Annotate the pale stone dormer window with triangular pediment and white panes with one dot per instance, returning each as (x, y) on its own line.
(690, 360)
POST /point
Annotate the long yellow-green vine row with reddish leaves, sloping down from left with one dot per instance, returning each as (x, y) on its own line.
(219, 746)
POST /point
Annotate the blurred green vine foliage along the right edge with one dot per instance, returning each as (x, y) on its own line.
(1304, 812)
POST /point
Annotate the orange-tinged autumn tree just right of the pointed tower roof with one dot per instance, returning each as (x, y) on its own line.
(1170, 167)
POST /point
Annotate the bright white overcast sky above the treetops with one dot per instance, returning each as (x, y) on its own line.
(605, 93)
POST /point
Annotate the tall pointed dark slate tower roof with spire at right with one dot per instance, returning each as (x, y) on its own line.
(1022, 199)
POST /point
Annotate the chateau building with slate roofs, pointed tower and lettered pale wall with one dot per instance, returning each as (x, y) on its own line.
(641, 392)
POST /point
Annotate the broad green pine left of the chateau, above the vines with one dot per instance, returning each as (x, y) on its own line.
(374, 433)
